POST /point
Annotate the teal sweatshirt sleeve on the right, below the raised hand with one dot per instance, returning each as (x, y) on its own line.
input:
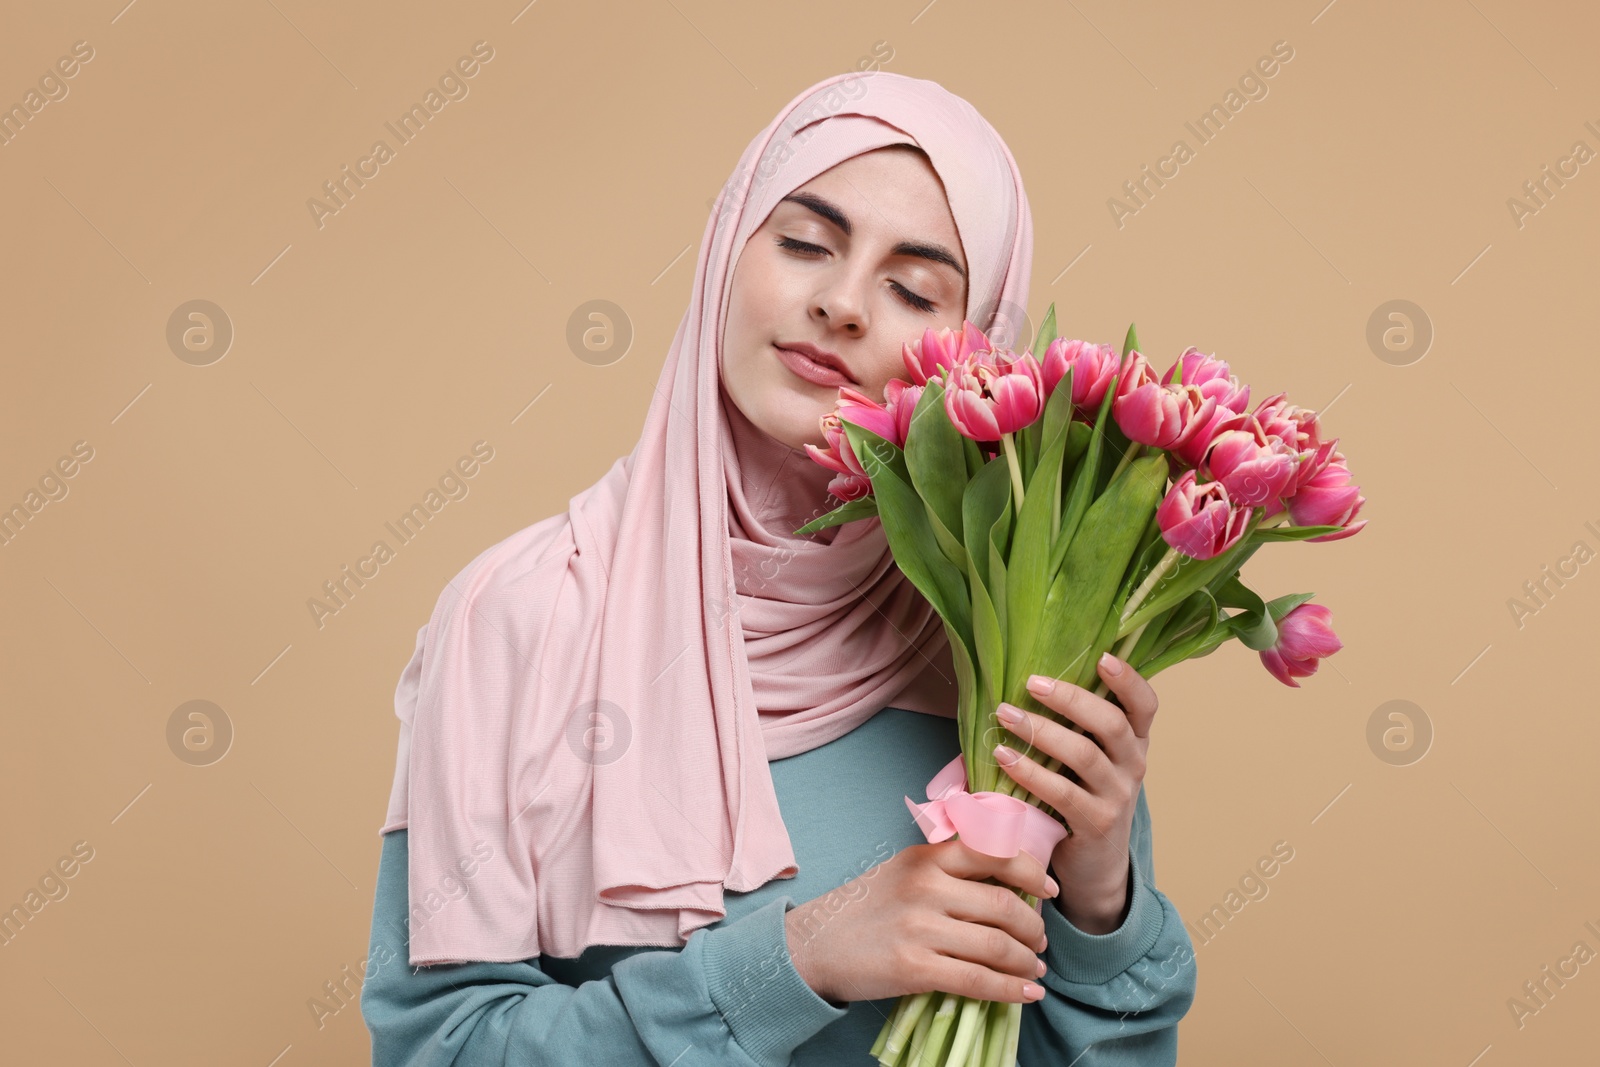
(1119, 994)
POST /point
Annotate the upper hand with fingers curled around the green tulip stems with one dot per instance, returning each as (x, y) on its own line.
(1092, 863)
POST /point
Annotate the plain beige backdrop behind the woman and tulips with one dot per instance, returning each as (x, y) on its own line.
(370, 353)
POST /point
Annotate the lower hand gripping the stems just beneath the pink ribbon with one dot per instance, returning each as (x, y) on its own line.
(926, 921)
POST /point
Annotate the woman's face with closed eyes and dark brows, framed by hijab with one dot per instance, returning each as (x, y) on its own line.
(857, 262)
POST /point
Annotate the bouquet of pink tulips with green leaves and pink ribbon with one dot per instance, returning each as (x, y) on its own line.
(1055, 505)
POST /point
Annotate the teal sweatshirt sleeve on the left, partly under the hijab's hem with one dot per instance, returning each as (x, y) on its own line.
(729, 997)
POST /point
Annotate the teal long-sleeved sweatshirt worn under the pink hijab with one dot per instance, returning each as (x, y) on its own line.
(732, 994)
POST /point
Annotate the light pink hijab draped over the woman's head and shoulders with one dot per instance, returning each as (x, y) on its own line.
(588, 716)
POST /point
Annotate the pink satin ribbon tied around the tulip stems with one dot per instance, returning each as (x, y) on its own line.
(990, 823)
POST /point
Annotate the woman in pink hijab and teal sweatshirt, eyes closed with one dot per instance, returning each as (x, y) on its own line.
(649, 802)
